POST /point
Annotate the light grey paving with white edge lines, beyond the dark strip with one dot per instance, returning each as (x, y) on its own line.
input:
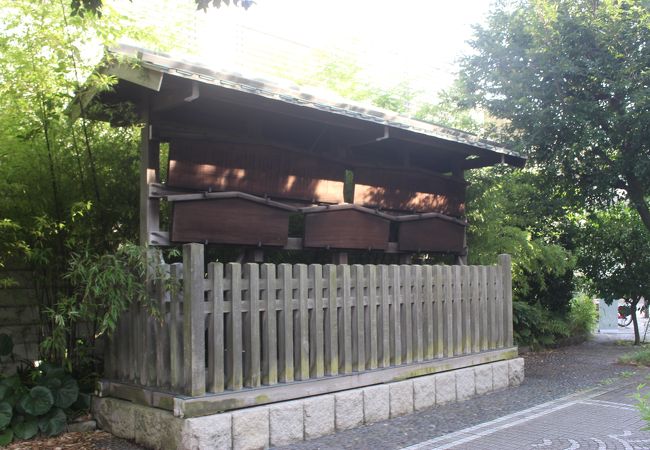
(602, 418)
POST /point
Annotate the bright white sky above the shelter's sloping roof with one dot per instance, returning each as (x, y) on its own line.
(416, 42)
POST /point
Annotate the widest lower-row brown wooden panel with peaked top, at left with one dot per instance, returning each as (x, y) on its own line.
(229, 221)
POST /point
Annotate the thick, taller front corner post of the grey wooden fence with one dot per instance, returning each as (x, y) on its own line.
(193, 319)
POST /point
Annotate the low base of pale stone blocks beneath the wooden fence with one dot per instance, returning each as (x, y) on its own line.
(293, 421)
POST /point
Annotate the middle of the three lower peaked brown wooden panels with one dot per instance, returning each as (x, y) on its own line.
(347, 229)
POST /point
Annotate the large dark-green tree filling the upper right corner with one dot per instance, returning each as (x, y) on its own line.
(571, 78)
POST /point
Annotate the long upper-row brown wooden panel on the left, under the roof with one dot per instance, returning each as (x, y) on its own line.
(255, 169)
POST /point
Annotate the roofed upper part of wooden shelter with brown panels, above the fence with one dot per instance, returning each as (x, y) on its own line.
(244, 155)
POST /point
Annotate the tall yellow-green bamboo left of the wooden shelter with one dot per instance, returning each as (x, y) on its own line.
(68, 188)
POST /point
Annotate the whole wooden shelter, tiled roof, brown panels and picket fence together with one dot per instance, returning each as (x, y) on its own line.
(244, 159)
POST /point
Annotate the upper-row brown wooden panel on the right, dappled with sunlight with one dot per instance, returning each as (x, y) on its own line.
(408, 190)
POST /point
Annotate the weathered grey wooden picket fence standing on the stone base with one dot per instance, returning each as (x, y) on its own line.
(262, 325)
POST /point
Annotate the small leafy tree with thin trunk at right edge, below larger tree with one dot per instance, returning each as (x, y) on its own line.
(614, 254)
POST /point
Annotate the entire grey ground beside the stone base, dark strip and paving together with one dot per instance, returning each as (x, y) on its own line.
(575, 397)
